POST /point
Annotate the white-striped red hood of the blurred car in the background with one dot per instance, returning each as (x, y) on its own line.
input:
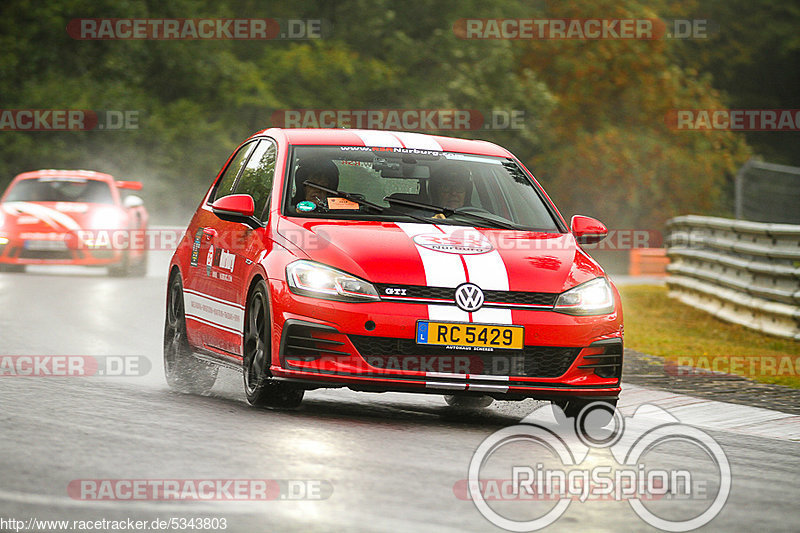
(59, 216)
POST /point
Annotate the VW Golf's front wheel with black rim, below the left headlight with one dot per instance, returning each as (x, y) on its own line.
(259, 387)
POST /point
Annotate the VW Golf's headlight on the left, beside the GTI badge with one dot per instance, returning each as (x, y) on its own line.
(314, 279)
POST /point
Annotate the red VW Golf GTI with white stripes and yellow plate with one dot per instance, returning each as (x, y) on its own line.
(387, 261)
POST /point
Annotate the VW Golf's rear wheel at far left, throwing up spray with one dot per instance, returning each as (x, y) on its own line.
(183, 371)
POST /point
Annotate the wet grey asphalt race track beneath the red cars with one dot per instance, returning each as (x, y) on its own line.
(391, 460)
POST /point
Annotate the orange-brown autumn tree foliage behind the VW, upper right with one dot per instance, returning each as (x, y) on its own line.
(610, 152)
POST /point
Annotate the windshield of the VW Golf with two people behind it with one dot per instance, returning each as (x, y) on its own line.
(364, 183)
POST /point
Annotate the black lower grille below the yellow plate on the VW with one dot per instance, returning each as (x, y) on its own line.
(405, 354)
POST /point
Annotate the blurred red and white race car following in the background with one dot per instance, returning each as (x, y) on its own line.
(73, 217)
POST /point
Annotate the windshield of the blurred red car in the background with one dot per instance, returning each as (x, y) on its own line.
(60, 189)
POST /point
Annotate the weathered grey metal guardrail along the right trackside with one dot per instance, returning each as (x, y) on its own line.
(743, 272)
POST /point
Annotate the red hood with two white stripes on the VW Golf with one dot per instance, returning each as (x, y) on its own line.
(443, 255)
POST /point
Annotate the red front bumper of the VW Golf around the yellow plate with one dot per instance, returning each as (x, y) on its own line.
(371, 347)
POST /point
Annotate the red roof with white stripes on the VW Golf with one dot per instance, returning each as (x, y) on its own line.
(383, 138)
